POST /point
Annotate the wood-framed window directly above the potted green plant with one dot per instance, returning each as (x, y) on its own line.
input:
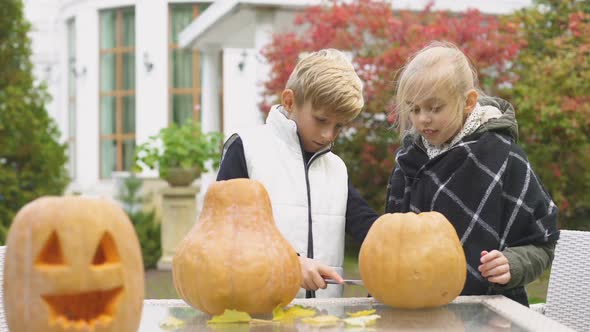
(184, 71)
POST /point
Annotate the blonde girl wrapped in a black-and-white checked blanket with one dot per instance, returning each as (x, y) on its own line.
(459, 157)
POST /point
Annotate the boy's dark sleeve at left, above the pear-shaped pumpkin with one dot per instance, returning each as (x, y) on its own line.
(233, 161)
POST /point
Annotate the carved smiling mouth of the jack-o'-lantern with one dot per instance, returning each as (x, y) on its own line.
(83, 310)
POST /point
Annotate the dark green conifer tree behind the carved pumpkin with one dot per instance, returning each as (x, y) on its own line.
(32, 161)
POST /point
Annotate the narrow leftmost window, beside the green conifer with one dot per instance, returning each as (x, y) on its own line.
(71, 31)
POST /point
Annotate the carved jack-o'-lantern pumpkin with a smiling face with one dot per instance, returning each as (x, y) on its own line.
(72, 263)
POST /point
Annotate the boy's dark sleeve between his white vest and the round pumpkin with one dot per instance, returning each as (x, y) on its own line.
(359, 215)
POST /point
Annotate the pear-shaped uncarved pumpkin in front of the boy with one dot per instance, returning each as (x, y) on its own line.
(235, 257)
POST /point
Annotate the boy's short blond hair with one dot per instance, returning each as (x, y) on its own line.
(327, 80)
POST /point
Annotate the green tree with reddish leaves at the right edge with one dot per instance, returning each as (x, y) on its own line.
(552, 98)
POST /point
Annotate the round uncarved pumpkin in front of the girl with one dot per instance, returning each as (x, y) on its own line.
(413, 260)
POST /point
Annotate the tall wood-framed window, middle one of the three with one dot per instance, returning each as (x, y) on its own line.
(117, 90)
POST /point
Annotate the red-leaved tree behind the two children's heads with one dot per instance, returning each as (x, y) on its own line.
(379, 41)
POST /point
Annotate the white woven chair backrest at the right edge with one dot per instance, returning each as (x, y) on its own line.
(568, 294)
